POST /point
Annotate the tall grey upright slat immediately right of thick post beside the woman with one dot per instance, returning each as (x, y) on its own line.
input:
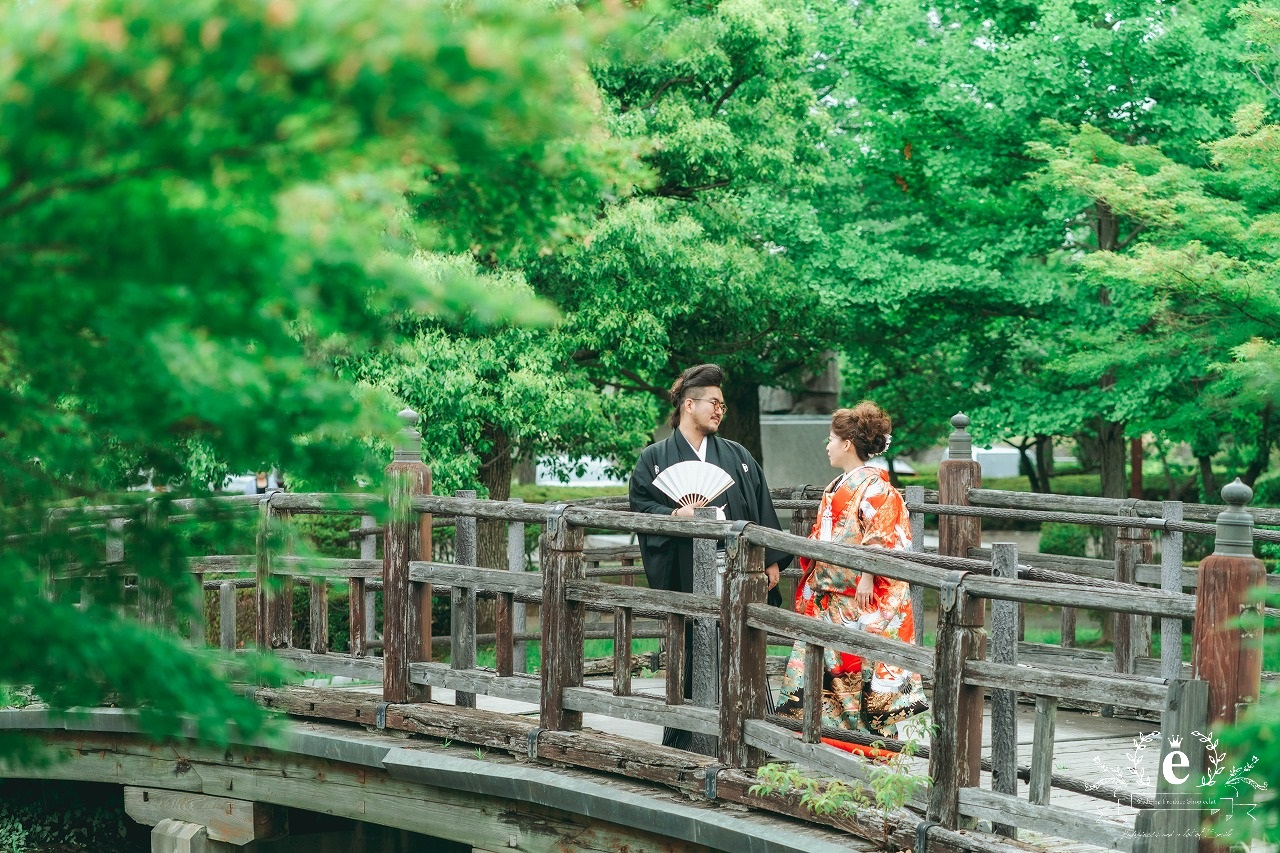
(1004, 704)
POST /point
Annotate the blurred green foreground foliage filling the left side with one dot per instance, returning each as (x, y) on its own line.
(202, 204)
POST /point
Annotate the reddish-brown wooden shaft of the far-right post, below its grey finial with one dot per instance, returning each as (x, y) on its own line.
(1224, 654)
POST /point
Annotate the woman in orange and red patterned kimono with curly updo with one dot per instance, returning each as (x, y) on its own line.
(860, 508)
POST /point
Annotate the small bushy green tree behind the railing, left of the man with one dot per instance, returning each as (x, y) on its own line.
(495, 395)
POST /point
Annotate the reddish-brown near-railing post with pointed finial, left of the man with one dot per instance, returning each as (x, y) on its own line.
(406, 606)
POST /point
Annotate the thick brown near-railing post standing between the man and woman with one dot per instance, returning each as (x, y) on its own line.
(744, 690)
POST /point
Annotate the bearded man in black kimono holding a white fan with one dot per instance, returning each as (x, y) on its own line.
(669, 562)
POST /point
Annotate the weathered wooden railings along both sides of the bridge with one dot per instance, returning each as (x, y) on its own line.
(737, 728)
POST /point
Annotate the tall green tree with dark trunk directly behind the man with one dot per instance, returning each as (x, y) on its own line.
(692, 270)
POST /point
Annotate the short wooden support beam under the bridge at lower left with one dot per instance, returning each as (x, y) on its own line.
(234, 822)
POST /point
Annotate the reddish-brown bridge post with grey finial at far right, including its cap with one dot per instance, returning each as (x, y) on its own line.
(1228, 640)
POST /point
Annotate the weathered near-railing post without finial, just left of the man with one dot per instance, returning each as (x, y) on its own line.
(561, 558)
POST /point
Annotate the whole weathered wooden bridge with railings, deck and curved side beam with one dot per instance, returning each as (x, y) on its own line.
(1025, 733)
